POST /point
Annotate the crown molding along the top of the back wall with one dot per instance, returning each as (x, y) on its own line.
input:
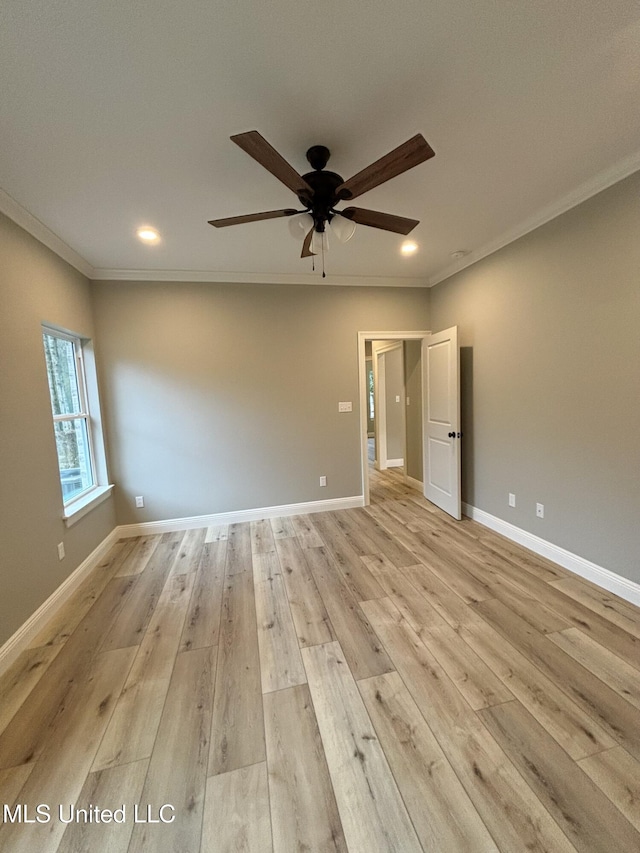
(256, 278)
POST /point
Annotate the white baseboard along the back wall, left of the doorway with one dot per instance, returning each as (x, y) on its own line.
(175, 524)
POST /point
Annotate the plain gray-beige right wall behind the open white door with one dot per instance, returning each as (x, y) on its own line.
(550, 335)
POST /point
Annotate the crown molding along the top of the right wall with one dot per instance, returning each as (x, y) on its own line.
(602, 181)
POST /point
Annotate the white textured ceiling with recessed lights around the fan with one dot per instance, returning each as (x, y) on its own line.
(117, 114)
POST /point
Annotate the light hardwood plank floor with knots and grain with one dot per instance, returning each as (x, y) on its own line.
(379, 679)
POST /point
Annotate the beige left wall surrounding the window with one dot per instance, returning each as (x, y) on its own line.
(35, 286)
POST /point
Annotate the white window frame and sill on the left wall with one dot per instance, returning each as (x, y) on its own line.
(80, 504)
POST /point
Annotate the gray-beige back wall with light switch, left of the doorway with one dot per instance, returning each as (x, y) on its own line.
(225, 397)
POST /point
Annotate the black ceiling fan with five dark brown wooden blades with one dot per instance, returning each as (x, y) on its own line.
(320, 191)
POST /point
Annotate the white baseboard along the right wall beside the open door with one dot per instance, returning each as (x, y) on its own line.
(625, 588)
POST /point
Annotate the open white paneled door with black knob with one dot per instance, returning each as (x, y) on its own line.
(441, 379)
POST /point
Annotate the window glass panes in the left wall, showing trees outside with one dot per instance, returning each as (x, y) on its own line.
(71, 421)
